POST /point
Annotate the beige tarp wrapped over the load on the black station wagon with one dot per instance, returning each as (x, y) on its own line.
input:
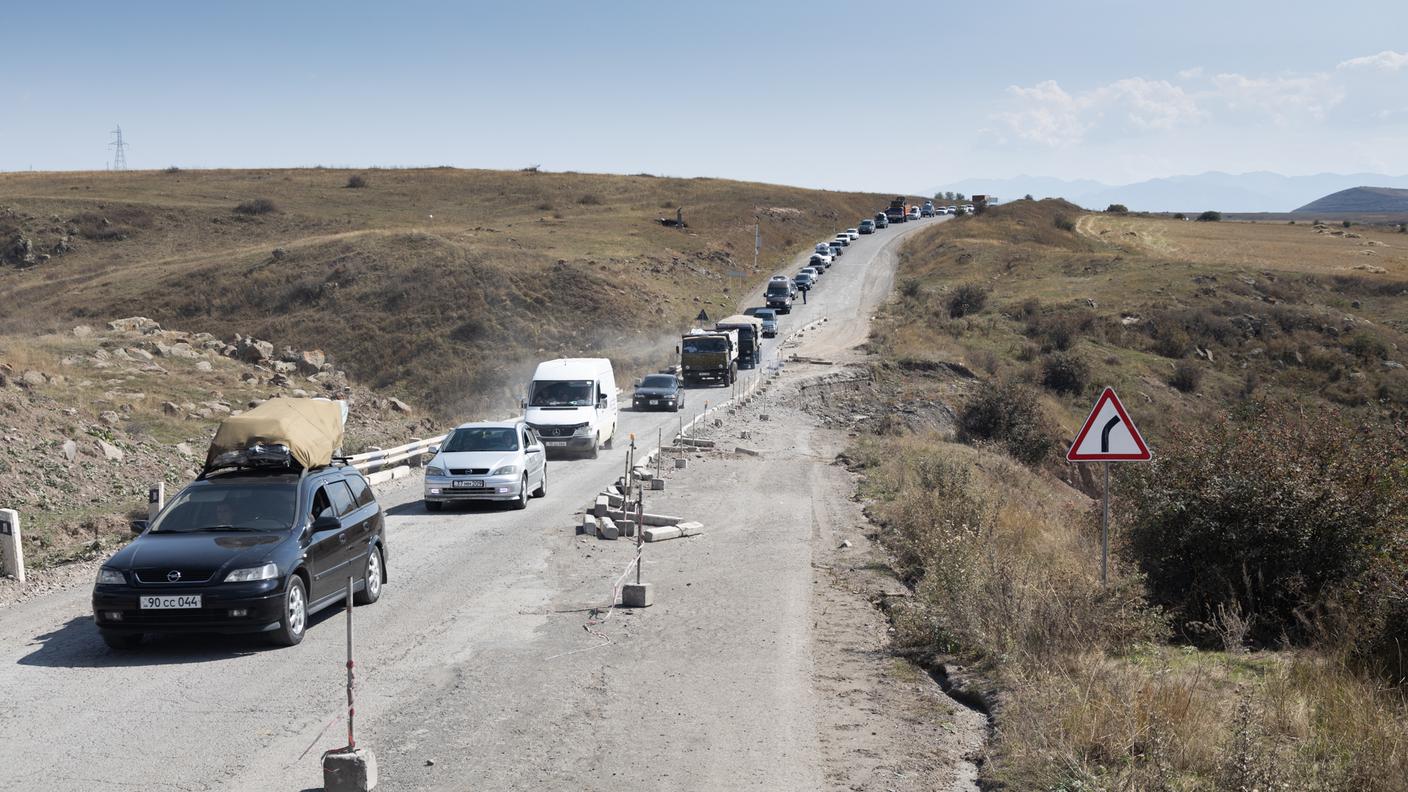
(310, 428)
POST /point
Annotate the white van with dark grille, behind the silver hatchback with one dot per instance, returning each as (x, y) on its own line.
(572, 405)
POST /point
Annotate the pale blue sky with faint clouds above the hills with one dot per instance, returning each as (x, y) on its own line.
(898, 97)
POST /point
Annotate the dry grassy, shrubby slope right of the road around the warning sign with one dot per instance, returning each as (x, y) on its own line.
(1251, 635)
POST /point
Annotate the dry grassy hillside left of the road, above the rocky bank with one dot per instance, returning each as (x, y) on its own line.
(444, 285)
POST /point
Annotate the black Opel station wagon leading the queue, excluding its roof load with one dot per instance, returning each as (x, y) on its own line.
(246, 552)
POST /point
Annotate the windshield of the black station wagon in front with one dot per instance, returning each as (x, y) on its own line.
(229, 507)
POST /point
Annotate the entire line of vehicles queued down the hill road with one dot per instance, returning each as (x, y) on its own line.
(277, 524)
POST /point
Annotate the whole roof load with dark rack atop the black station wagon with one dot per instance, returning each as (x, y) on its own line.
(288, 433)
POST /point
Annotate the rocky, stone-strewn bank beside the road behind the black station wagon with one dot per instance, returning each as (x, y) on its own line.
(92, 419)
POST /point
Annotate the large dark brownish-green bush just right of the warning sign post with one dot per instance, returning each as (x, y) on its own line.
(1274, 514)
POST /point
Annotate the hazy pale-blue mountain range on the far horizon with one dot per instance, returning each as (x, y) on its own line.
(1224, 192)
